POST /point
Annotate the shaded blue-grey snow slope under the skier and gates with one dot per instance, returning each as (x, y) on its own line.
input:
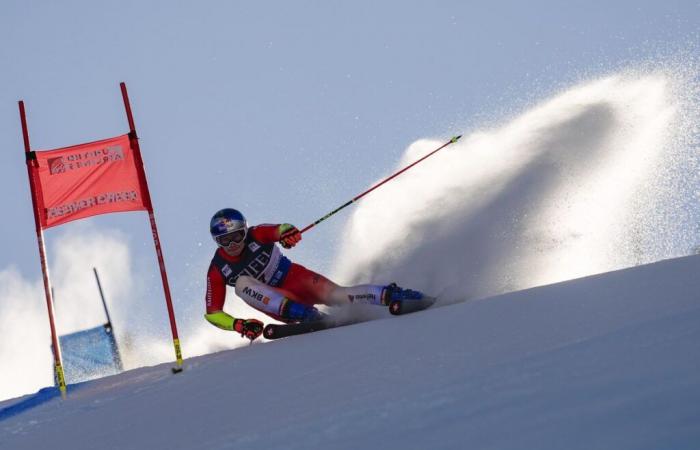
(606, 361)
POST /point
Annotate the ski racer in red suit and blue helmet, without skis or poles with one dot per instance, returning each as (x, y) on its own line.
(250, 261)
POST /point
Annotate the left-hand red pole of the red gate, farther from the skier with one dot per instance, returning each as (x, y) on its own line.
(58, 367)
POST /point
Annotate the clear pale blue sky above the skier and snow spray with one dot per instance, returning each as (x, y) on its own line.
(285, 109)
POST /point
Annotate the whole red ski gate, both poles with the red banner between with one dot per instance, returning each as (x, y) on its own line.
(85, 180)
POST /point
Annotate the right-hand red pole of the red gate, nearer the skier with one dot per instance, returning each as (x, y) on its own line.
(154, 228)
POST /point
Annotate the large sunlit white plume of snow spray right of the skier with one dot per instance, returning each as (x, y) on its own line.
(602, 176)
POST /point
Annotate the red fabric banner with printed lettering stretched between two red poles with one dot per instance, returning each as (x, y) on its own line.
(86, 180)
